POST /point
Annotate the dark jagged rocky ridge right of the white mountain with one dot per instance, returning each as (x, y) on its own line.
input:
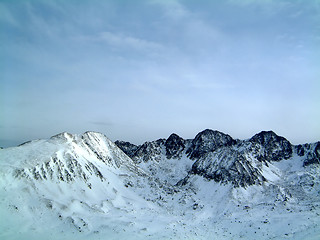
(217, 156)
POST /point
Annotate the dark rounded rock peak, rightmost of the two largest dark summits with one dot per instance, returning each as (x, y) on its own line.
(271, 147)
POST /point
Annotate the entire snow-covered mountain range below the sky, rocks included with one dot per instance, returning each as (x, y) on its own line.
(210, 187)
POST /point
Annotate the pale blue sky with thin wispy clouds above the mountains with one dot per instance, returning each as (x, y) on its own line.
(141, 70)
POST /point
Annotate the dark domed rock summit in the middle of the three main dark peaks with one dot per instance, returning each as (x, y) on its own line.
(208, 141)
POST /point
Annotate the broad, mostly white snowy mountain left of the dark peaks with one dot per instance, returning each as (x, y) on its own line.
(61, 182)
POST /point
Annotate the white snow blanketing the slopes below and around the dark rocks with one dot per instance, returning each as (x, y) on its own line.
(141, 201)
